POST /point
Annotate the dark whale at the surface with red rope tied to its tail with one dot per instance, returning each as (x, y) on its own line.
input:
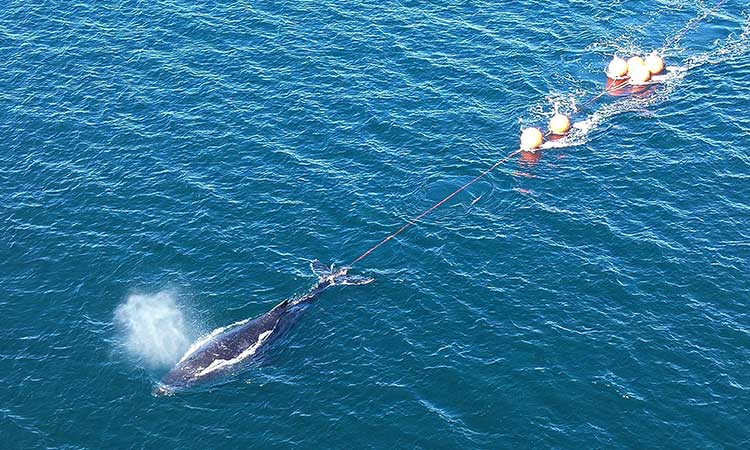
(222, 350)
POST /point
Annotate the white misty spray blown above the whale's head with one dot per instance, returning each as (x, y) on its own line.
(155, 330)
